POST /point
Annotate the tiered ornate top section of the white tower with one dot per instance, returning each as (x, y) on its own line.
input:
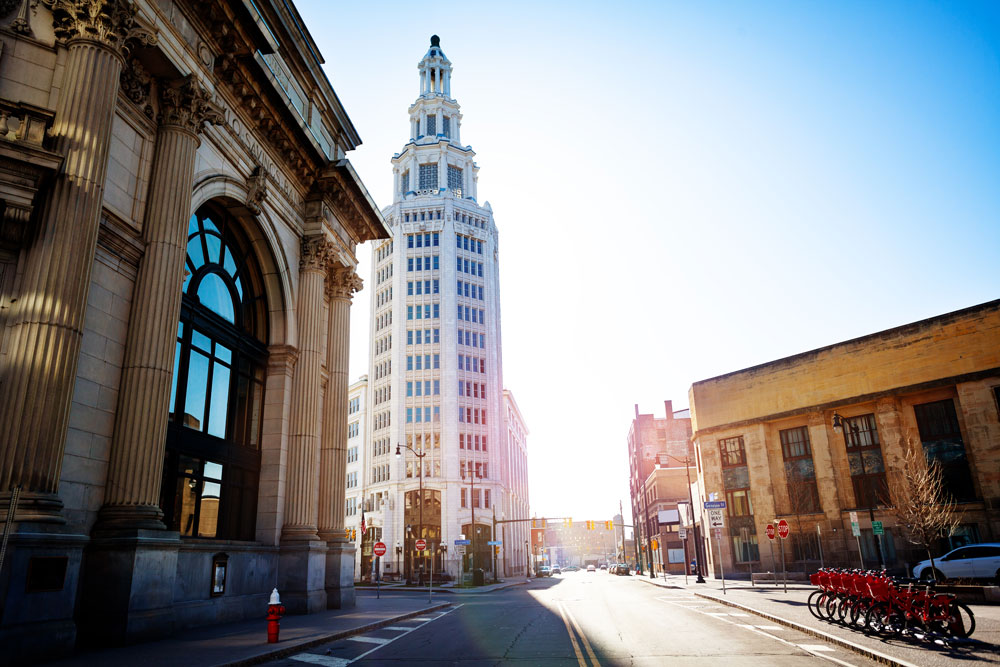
(434, 162)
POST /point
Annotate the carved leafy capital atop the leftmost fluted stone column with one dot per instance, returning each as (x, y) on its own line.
(108, 22)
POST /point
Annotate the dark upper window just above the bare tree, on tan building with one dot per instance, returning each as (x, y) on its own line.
(943, 445)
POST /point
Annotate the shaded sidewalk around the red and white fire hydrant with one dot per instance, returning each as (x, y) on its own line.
(245, 642)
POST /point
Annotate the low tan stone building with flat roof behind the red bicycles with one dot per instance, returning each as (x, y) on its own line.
(818, 435)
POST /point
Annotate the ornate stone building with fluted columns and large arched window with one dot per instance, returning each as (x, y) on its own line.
(177, 263)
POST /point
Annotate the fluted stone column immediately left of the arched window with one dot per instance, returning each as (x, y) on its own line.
(132, 494)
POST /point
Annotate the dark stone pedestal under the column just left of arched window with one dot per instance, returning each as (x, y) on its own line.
(128, 587)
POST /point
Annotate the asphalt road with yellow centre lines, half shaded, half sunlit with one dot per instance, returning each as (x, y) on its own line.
(581, 619)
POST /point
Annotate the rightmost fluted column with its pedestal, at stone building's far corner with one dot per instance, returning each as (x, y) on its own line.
(341, 285)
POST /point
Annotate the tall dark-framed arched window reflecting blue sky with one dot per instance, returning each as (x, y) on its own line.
(212, 465)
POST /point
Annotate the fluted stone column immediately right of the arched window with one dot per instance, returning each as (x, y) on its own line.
(301, 516)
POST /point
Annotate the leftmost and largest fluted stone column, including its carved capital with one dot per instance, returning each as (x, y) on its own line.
(48, 324)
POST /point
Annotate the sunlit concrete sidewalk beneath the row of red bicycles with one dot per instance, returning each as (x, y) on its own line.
(790, 609)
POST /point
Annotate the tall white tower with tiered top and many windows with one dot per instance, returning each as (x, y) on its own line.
(435, 371)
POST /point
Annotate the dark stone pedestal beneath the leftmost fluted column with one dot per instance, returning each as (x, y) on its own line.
(38, 589)
